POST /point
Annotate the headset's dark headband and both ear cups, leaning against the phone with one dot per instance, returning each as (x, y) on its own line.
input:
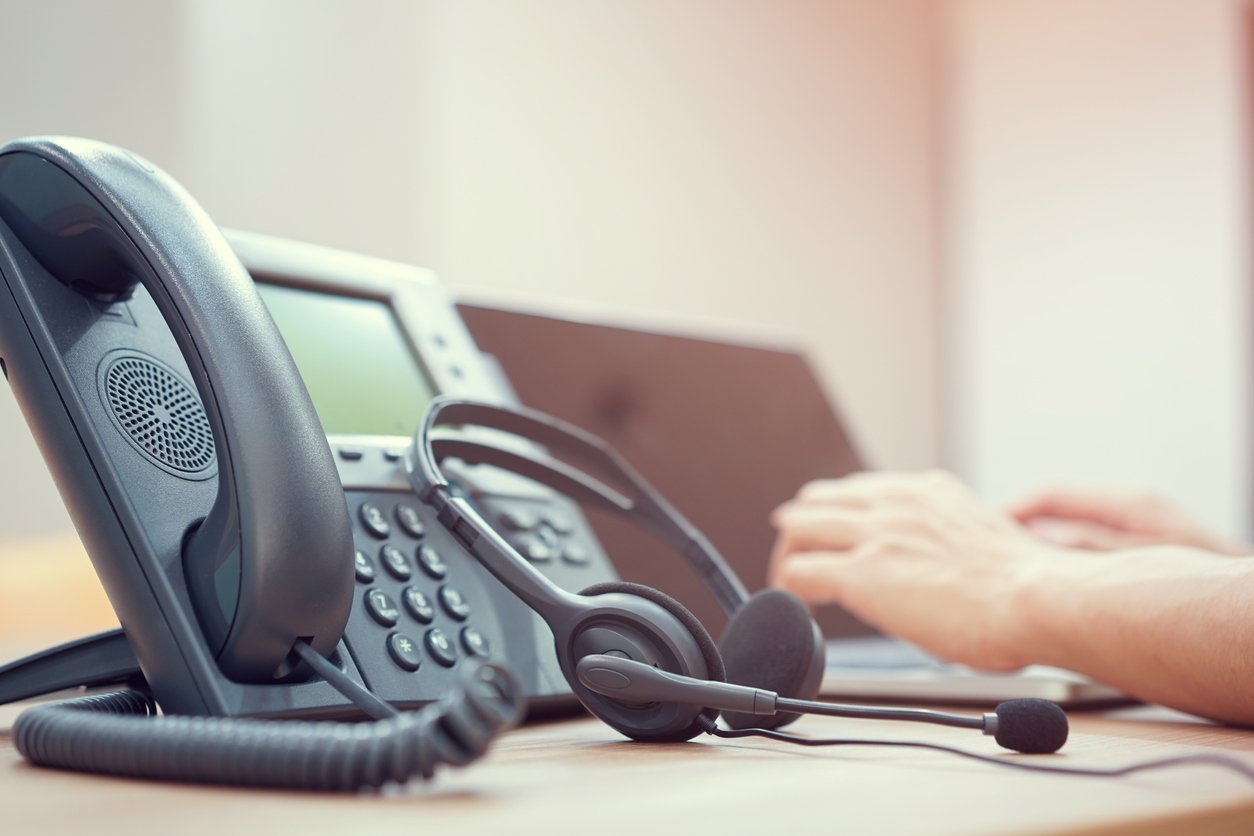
(772, 642)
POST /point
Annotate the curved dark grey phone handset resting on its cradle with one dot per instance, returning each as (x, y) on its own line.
(271, 562)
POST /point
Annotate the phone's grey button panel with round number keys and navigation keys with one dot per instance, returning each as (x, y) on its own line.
(431, 606)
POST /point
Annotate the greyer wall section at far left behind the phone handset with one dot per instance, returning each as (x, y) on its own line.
(92, 70)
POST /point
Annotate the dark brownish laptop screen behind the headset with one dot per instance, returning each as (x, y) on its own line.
(725, 431)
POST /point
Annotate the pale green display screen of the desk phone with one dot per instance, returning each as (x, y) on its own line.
(361, 370)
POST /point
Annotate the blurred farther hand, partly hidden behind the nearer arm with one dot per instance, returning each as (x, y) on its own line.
(1095, 521)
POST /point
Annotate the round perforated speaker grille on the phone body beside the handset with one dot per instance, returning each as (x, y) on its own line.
(160, 414)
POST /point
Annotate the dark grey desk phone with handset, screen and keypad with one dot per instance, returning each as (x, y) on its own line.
(229, 515)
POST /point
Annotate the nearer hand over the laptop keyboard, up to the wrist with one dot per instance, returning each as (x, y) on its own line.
(916, 556)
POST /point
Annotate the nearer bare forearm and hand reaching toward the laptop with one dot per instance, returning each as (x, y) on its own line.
(921, 558)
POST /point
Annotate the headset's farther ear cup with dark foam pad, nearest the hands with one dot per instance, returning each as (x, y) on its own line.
(773, 644)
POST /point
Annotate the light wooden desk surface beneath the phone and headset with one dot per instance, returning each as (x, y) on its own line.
(577, 775)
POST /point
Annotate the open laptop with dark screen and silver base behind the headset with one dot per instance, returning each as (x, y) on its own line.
(727, 429)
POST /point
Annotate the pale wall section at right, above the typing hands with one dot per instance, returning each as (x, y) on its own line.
(1099, 304)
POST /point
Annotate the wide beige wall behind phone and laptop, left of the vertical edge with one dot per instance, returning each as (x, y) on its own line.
(762, 165)
